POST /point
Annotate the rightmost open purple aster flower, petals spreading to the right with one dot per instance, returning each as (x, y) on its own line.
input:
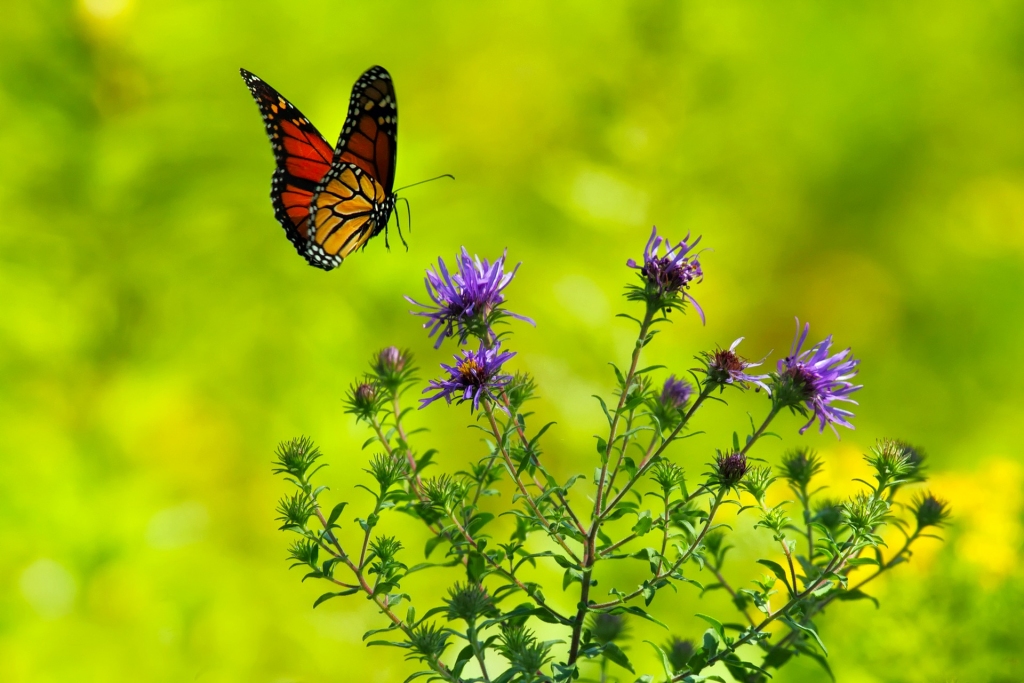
(818, 380)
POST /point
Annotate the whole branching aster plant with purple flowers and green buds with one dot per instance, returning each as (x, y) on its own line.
(504, 523)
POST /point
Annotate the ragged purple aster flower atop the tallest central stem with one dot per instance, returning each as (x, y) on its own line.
(668, 272)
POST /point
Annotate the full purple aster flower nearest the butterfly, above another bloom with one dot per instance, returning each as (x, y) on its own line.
(467, 302)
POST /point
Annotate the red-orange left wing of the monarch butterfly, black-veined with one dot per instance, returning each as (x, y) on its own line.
(303, 155)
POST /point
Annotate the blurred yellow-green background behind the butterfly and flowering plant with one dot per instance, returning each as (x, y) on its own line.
(861, 165)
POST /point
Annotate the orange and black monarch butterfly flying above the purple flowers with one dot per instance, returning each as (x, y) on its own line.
(332, 202)
